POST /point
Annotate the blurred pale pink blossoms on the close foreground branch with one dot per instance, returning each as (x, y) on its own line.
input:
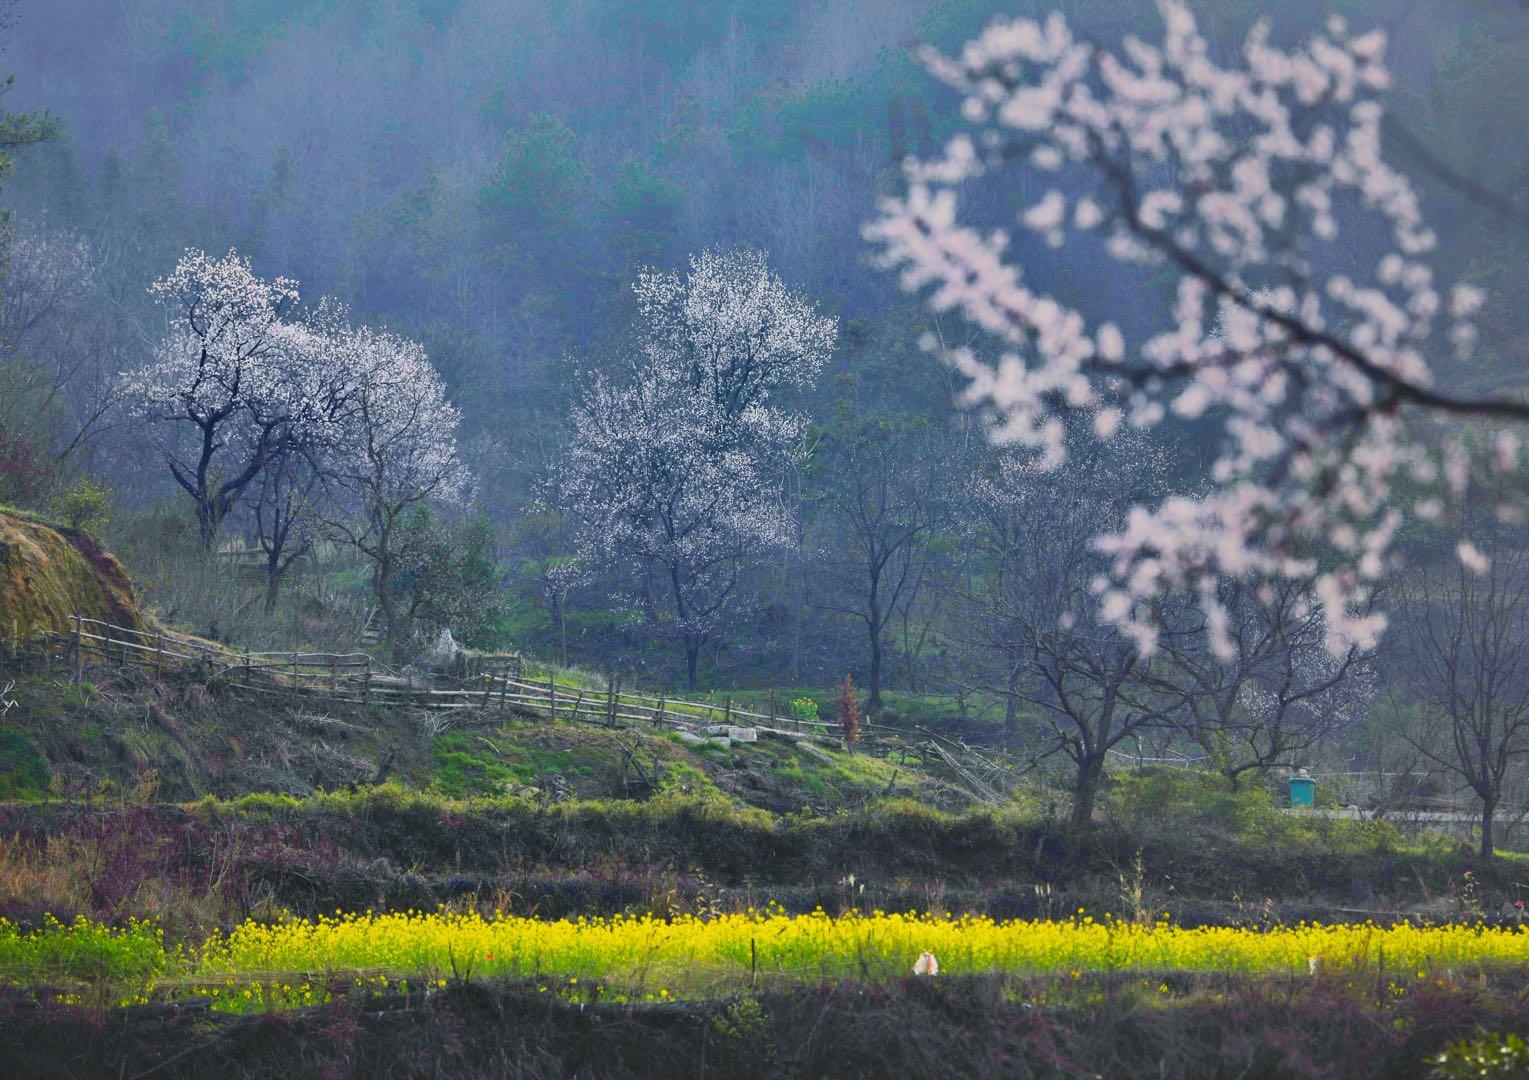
(1242, 186)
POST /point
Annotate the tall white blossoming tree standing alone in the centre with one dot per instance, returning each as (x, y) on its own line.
(674, 472)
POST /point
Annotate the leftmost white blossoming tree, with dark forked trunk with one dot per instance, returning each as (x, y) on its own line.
(233, 385)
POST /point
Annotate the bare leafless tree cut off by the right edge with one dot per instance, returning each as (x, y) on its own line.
(1469, 669)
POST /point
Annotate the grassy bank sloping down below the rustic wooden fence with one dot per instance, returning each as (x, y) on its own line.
(186, 737)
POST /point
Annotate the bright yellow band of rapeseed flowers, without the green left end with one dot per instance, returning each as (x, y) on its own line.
(820, 945)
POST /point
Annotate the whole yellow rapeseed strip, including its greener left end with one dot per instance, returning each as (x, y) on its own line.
(646, 958)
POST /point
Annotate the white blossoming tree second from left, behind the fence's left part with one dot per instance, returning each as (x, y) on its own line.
(394, 452)
